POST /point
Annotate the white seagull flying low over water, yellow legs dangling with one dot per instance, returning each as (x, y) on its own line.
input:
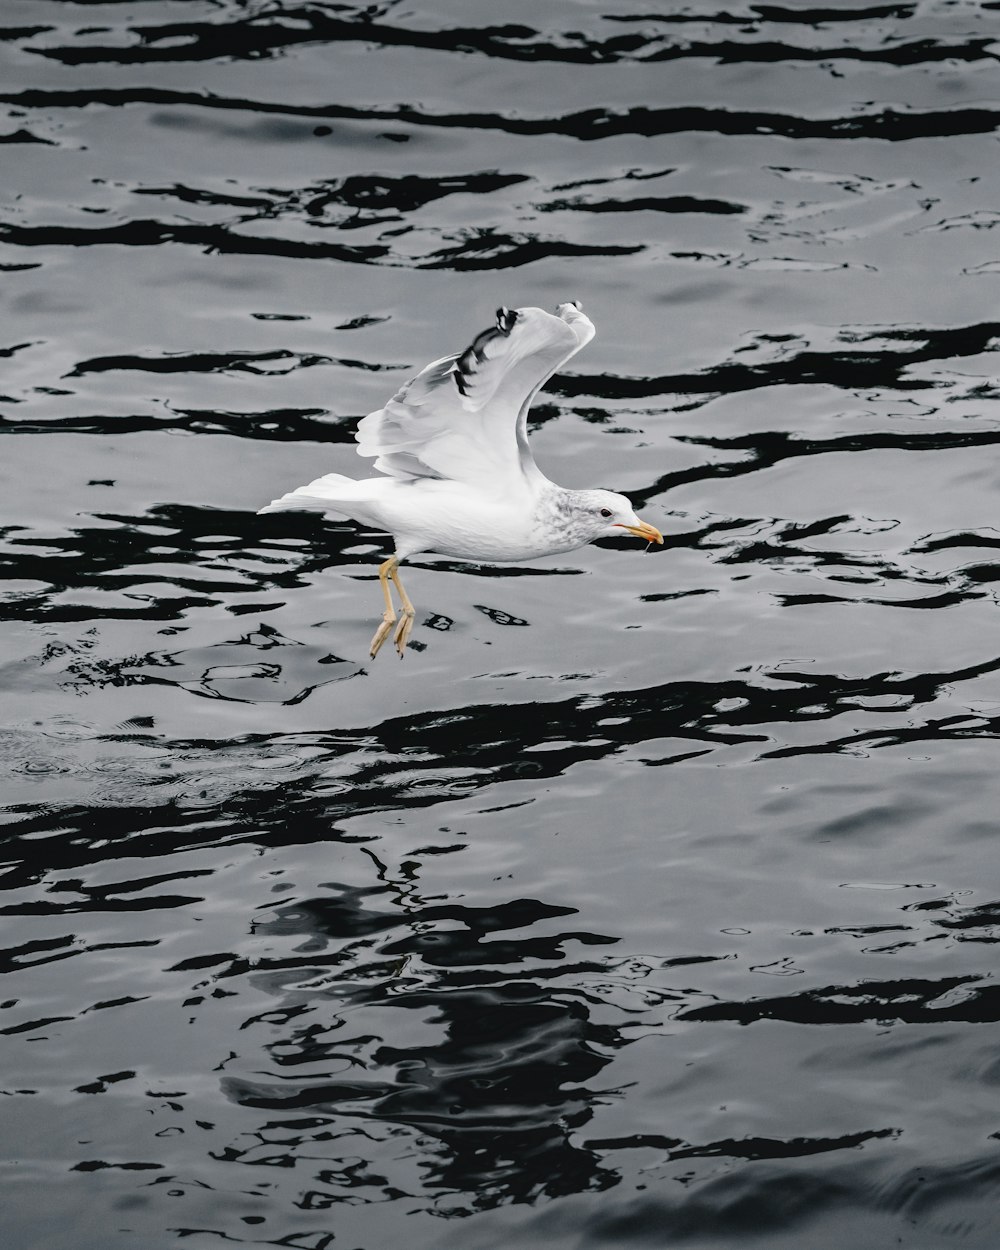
(457, 476)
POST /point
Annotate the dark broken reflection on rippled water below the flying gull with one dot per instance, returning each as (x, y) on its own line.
(474, 1057)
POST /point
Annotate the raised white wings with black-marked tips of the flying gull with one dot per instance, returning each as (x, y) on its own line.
(466, 418)
